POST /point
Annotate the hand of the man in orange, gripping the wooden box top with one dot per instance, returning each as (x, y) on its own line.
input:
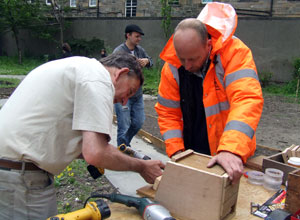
(231, 163)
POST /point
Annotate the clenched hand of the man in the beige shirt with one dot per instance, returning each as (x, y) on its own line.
(151, 170)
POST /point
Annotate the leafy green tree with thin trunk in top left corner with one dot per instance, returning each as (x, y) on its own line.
(20, 14)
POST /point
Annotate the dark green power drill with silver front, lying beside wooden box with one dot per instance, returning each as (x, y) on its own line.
(148, 209)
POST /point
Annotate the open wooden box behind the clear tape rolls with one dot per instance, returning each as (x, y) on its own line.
(276, 161)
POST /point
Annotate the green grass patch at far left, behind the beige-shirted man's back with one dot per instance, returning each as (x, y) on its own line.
(10, 66)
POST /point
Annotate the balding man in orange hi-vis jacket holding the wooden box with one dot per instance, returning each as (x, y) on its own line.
(210, 98)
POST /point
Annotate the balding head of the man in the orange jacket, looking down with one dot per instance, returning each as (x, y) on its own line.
(192, 44)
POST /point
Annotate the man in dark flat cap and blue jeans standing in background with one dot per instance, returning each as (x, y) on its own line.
(131, 116)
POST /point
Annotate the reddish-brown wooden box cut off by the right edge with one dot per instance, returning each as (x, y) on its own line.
(292, 201)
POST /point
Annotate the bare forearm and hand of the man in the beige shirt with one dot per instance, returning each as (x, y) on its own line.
(98, 152)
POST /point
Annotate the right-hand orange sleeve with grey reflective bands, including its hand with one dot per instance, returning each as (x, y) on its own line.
(244, 94)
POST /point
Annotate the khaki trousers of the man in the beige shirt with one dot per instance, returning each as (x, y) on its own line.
(27, 195)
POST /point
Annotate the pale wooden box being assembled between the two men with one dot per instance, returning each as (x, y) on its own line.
(191, 191)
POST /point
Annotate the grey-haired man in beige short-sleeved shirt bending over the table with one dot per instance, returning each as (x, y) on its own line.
(61, 111)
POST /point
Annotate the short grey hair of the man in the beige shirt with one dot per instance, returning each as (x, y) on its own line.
(123, 59)
